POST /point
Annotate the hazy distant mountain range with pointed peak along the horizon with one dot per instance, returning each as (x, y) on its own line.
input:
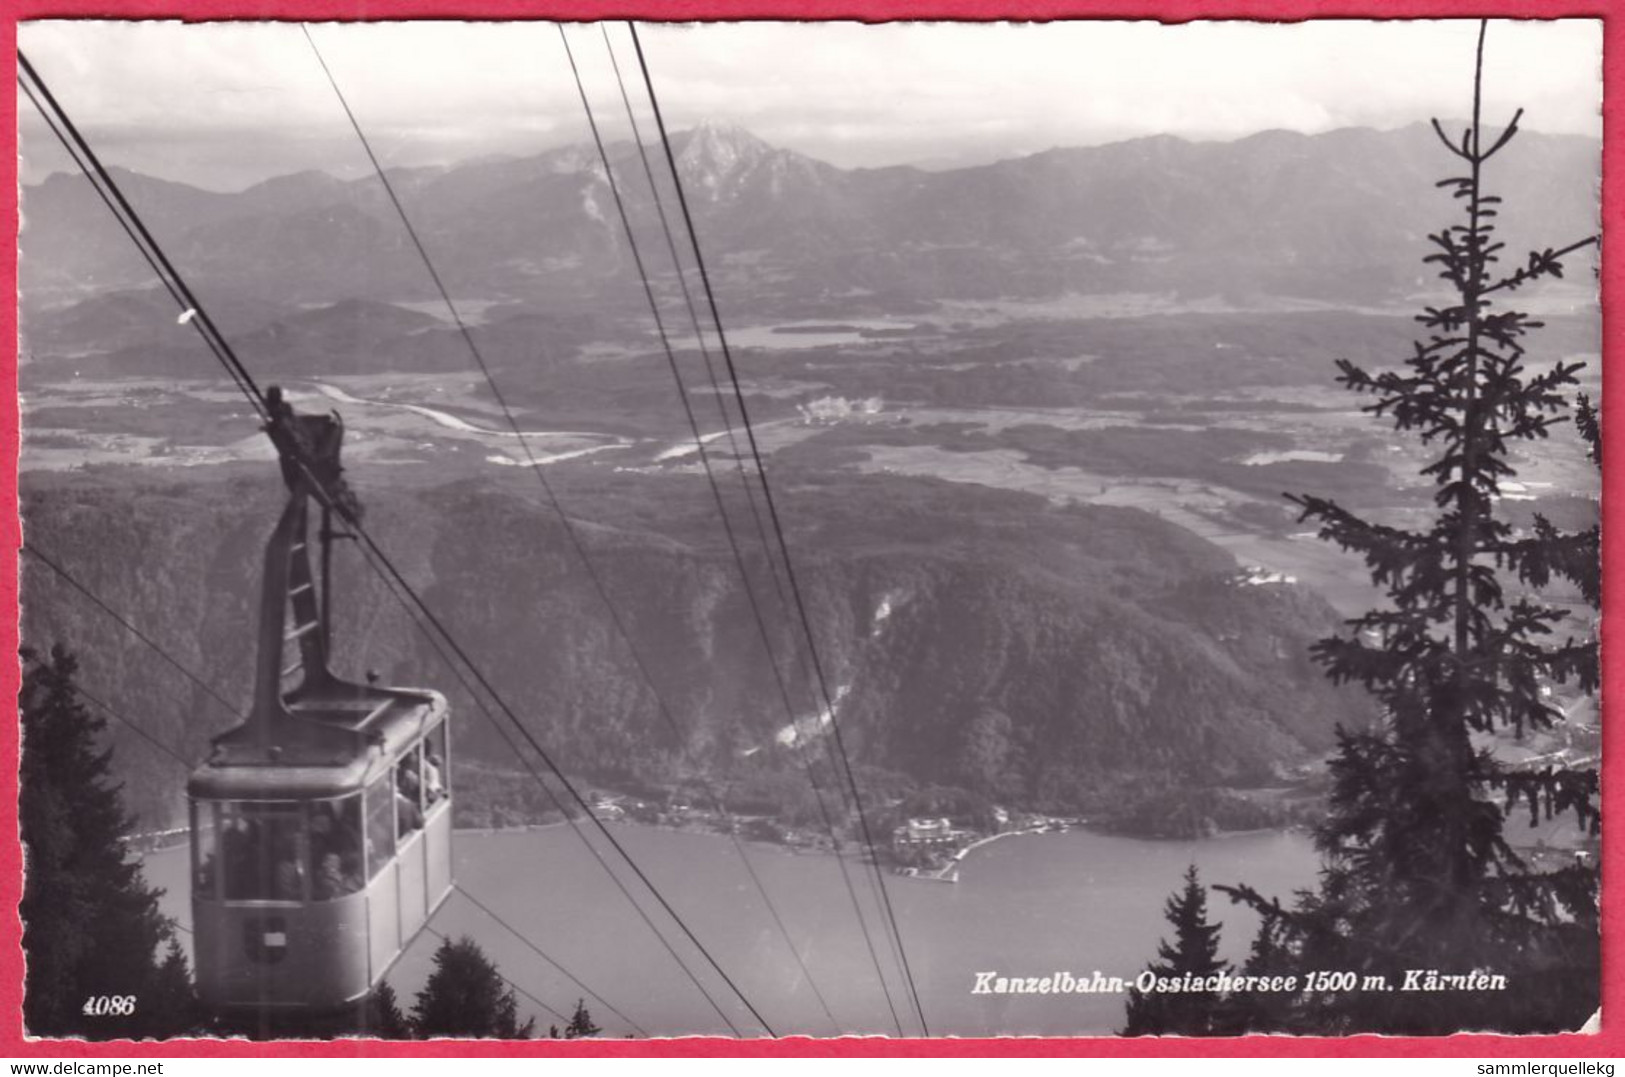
(1338, 217)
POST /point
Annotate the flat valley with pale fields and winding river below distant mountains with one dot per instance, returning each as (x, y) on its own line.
(1202, 417)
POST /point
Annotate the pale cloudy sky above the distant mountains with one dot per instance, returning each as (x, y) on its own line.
(230, 105)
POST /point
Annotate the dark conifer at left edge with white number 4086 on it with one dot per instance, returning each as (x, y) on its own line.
(92, 928)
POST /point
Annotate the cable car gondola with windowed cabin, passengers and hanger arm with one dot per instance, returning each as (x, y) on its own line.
(323, 824)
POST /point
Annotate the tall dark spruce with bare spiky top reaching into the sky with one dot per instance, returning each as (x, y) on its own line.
(1419, 873)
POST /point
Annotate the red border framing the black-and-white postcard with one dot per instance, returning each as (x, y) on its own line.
(1608, 1044)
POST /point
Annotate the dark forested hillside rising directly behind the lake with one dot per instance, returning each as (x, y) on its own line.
(981, 639)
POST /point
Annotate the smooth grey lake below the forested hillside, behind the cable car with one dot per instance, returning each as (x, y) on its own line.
(1025, 906)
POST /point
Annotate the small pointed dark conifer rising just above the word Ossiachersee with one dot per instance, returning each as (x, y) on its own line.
(1195, 953)
